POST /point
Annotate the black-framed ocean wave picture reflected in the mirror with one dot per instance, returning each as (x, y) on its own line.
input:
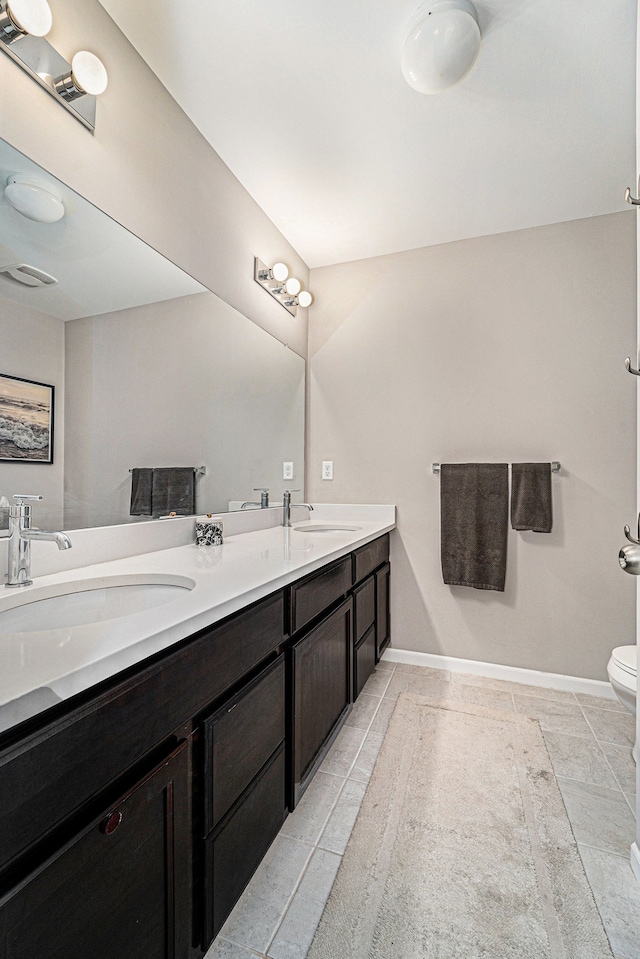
(26, 420)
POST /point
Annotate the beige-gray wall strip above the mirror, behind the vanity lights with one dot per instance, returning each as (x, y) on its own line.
(150, 169)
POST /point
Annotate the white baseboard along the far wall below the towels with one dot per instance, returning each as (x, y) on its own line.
(513, 674)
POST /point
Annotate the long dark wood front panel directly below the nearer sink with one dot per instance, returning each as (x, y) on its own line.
(50, 774)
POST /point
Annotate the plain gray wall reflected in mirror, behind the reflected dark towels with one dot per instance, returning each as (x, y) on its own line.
(187, 382)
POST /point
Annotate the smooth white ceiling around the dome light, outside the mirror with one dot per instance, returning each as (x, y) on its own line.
(305, 102)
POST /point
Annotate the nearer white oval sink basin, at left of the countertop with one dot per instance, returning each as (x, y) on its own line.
(84, 602)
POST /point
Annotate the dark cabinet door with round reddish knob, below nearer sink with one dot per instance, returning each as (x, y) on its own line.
(120, 888)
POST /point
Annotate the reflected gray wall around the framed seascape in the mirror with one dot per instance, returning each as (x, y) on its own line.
(32, 347)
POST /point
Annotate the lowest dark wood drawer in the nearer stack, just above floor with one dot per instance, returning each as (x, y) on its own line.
(235, 850)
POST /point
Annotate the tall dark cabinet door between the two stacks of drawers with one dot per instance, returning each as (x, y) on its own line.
(321, 672)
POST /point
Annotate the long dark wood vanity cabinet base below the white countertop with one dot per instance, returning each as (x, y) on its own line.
(133, 815)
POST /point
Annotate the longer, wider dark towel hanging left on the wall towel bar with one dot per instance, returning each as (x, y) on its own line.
(474, 519)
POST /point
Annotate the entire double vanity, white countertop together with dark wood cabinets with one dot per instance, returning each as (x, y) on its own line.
(162, 720)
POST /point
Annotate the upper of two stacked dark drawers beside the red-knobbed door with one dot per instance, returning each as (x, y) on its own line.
(240, 738)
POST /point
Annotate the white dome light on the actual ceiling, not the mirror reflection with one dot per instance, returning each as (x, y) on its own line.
(441, 46)
